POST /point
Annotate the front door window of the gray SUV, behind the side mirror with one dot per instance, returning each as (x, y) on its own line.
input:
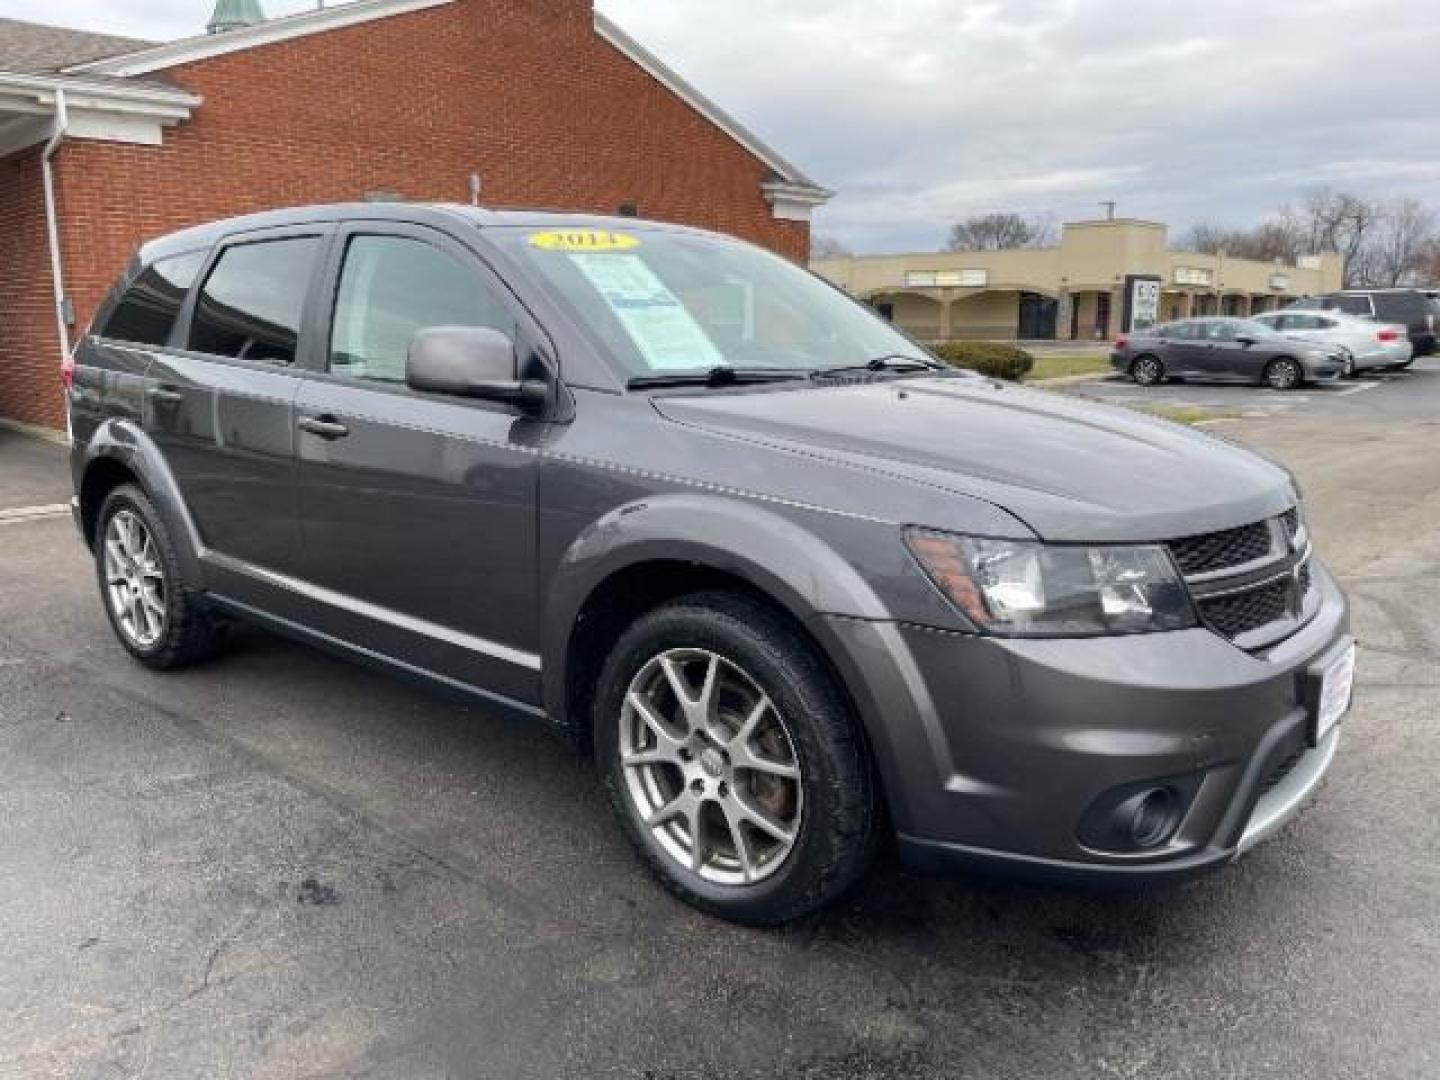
(392, 287)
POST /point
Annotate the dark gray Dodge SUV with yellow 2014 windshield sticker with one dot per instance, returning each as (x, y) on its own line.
(798, 587)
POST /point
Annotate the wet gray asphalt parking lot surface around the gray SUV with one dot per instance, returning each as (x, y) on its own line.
(282, 866)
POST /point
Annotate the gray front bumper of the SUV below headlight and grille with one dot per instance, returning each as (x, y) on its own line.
(993, 751)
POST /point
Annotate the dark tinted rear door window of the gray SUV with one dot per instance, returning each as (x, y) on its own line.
(253, 302)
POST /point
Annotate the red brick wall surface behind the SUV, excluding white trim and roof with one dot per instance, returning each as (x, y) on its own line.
(522, 91)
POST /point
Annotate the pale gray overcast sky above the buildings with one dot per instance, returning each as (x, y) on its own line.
(922, 112)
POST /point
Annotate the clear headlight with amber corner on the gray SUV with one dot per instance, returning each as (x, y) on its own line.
(1017, 588)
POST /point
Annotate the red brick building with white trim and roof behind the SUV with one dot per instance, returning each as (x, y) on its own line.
(546, 102)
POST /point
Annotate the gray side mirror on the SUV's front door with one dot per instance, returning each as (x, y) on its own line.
(472, 362)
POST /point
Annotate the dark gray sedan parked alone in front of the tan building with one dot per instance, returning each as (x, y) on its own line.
(1228, 351)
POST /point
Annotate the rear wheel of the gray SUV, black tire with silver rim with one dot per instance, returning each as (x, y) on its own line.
(163, 624)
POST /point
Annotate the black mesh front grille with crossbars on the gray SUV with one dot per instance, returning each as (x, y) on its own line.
(1249, 580)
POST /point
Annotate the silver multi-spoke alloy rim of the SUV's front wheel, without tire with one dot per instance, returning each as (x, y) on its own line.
(711, 767)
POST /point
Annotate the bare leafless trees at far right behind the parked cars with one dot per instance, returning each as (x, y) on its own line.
(1386, 243)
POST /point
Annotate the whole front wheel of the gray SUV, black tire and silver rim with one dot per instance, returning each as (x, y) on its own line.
(829, 807)
